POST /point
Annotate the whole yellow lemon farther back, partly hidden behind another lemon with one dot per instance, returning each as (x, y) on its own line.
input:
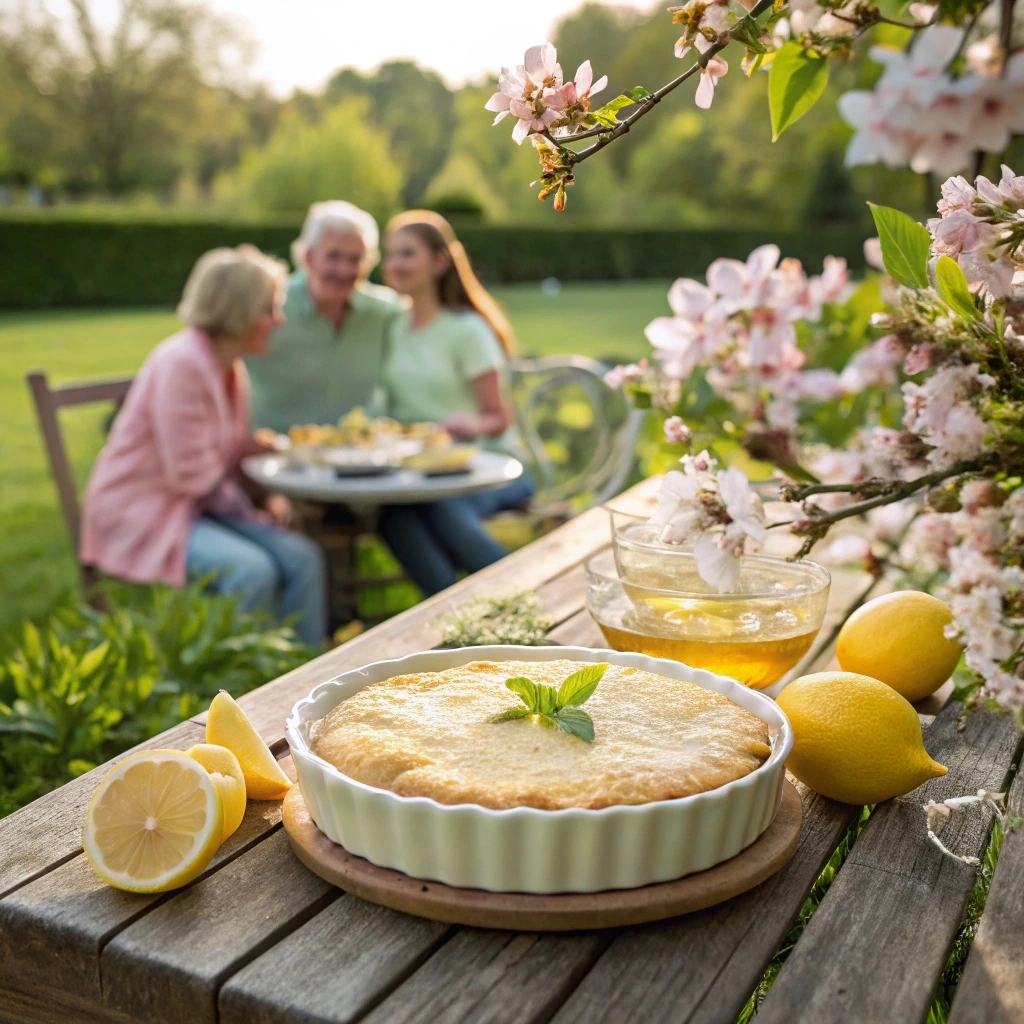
(900, 639)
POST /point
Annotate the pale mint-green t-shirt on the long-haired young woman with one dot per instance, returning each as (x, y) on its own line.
(429, 373)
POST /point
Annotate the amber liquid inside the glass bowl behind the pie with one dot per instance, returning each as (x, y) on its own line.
(757, 643)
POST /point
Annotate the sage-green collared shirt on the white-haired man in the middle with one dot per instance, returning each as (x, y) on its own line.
(314, 374)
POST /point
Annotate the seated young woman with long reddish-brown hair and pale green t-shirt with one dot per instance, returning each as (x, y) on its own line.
(446, 363)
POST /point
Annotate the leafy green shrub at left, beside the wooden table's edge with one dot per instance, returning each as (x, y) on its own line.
(88, 687)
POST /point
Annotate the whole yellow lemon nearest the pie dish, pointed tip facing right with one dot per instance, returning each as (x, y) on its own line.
(856, 739)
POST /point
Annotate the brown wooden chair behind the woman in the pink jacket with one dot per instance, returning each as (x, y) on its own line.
(49, 401)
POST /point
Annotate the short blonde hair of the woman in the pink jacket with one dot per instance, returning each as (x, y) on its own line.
(229, 289)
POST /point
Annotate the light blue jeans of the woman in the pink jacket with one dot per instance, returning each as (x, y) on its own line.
(266, 568)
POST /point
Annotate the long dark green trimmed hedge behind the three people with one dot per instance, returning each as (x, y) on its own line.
(51, 262)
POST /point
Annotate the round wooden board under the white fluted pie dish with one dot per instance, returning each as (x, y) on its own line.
(560, 913)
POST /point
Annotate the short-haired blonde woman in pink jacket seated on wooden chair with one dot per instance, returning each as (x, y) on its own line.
(164, 503)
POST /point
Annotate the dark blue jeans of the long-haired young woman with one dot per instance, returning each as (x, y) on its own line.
(434, 542)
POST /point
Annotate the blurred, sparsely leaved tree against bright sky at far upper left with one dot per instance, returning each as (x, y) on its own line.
(123, 109)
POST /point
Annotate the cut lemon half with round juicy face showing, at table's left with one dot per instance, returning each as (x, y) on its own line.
(154, 824)
